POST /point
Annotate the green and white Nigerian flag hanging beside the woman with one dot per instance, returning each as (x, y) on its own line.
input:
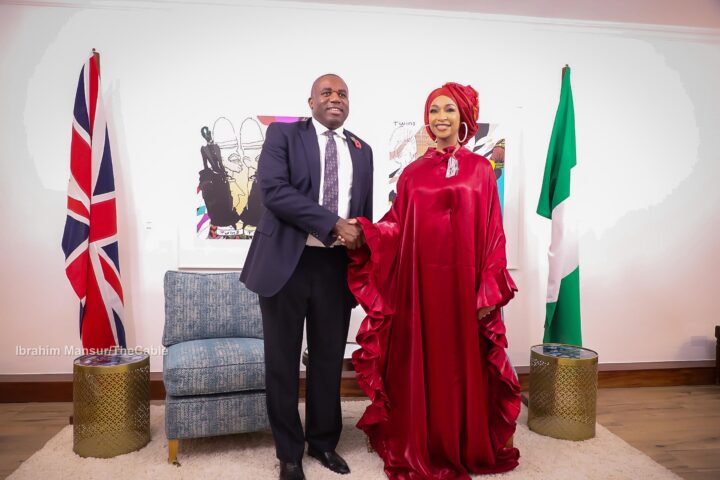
(562, 314)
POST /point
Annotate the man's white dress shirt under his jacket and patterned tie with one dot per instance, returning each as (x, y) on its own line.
(344, 173)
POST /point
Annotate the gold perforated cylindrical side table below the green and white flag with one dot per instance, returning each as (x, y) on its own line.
(563, 391)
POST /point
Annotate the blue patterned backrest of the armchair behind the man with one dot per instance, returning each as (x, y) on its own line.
(209, 305)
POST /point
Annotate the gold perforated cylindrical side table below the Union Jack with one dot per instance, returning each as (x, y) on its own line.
(111, 404)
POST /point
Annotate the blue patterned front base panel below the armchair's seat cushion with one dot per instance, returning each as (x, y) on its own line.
(210, 415)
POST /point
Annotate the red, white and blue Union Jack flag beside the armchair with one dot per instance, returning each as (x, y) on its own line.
(90, 239)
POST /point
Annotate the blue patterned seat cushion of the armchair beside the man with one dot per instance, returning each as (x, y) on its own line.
(217, 365)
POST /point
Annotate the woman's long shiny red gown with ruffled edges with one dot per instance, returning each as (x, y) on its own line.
(444, 397)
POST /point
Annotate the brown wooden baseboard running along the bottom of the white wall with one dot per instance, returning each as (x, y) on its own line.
(22, 388)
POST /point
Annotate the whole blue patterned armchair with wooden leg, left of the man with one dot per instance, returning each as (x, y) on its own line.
(214, 368)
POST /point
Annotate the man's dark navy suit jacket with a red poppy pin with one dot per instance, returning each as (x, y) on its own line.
(289, 178)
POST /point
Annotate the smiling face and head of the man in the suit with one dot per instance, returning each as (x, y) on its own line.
(329, 101)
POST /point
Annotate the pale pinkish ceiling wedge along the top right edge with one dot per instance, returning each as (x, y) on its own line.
(682, 13)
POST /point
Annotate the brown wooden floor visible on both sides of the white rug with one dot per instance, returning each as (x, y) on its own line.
(679, 427)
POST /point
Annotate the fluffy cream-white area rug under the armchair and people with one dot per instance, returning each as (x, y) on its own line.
(252, 456)
